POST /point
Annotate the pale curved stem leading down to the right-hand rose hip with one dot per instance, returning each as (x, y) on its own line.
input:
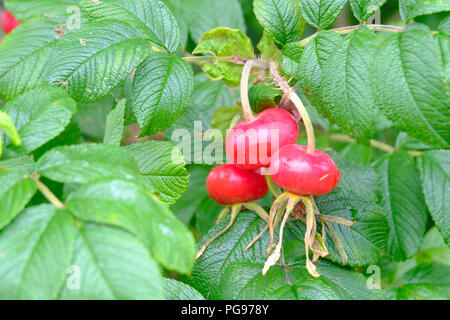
(292, 95)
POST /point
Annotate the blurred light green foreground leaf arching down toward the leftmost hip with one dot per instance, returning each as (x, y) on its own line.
(125, 204)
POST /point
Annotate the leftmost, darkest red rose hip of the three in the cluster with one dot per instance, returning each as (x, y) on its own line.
(228, 184)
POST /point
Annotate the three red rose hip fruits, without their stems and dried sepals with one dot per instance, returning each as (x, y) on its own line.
(295, 170)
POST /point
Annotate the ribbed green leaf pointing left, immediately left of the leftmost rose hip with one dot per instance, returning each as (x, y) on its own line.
(164, 167)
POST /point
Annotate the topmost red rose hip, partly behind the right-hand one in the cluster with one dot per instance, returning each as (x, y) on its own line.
(244, 151)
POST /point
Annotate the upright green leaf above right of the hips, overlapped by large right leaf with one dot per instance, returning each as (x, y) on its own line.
(346, 85)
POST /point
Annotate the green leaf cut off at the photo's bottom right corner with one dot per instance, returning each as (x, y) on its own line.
(427, 281)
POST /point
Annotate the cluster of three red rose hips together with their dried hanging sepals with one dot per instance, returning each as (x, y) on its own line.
(303, 172)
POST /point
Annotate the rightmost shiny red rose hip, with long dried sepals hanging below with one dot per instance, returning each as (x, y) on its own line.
(302, 173)
